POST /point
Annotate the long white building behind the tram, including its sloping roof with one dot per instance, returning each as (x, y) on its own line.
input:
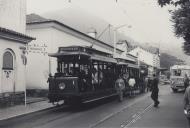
(51, 34)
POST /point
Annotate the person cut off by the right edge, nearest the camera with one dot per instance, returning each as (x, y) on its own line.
(187, 104)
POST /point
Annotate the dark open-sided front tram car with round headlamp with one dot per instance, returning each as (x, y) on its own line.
(84, 74)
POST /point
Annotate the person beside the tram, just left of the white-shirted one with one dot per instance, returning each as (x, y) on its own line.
(120, 86)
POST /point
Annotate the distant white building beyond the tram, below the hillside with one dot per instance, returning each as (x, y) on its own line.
(149, 56)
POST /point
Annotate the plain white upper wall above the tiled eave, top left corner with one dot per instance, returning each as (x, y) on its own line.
(13, 15)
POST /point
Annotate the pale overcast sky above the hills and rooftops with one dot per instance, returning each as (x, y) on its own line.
(149, 23)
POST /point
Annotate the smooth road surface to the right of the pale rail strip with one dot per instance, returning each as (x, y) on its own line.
(168, 115)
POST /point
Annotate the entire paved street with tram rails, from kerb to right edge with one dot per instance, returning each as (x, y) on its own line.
(133, 112)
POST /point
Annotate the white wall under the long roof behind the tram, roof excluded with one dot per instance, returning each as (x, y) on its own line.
(49, 39)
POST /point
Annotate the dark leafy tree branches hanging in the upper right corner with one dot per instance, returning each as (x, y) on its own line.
(181, 19)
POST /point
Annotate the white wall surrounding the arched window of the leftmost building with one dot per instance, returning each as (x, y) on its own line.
(19, 68)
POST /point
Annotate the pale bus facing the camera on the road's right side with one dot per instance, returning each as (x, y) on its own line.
(177, 73)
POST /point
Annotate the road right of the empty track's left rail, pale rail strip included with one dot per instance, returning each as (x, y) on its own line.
(168, 115)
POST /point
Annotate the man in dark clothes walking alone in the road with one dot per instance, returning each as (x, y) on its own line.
(155, 90)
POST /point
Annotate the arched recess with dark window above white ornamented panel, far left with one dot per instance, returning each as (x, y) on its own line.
(8, 68)
